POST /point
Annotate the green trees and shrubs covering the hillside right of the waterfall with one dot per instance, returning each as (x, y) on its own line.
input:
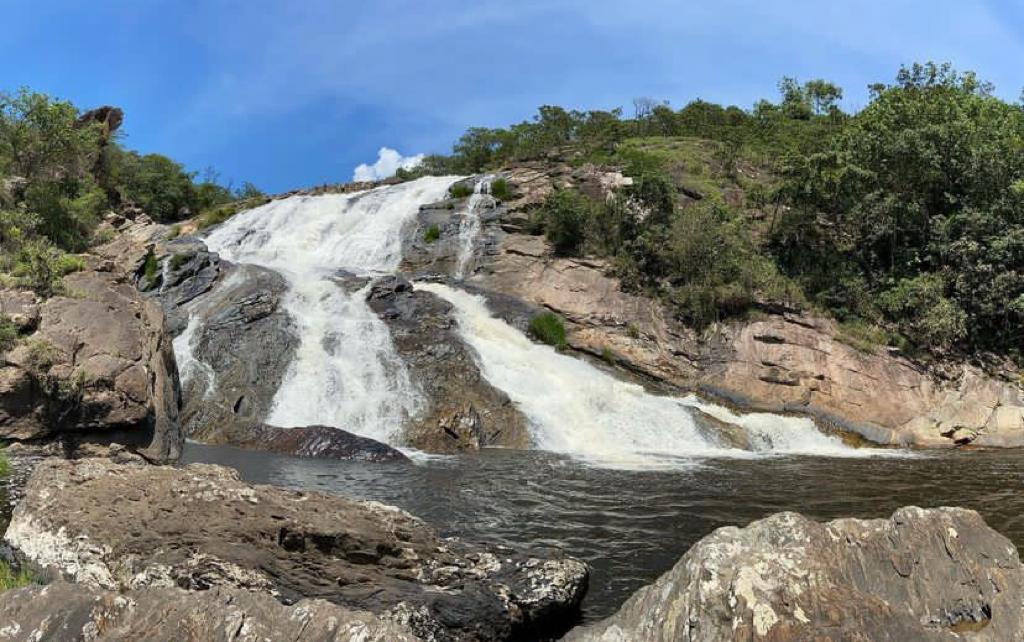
(905, 221)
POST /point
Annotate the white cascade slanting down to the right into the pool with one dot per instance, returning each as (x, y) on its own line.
(578, 410)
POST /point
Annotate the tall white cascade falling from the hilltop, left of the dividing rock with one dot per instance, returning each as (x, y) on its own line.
(346, 373)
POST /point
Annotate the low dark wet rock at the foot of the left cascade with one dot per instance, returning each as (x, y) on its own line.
(319, 442)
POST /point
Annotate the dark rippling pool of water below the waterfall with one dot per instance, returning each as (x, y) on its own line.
(633, 526)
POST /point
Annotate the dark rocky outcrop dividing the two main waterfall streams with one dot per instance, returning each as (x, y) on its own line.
(464, 412)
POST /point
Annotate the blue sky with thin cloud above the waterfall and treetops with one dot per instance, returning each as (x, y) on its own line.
(292, 94)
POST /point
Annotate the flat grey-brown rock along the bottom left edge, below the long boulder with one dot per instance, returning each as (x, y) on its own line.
(66, 613)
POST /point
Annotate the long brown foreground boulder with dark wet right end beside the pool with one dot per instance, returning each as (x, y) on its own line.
(129, 528)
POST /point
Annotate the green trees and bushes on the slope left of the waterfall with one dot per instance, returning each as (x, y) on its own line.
(61, 172)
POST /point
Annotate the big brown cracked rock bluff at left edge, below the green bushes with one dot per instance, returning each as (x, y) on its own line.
(99, 368)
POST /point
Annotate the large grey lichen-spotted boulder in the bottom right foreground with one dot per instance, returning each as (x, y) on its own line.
(922, 575)
